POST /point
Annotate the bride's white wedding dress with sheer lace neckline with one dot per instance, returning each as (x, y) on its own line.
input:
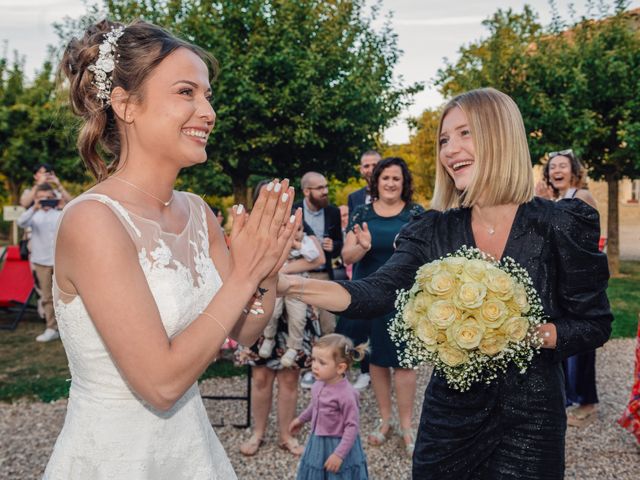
(109, 432)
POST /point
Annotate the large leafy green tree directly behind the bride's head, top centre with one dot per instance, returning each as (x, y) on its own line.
(303, 84)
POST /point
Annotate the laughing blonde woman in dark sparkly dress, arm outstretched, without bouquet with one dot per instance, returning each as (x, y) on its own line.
(514, 427)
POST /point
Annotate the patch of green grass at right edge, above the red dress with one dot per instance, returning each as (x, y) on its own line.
(624, 295)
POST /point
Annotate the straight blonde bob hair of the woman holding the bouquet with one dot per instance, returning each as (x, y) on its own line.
(503, 172)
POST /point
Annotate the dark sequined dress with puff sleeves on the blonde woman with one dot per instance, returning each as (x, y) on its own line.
(513, 428)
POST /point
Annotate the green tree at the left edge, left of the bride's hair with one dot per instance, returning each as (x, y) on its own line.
(34, 128)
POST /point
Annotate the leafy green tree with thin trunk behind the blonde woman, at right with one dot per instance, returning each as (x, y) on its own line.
(576, 84)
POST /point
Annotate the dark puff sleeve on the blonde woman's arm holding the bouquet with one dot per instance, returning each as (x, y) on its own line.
(585, 316)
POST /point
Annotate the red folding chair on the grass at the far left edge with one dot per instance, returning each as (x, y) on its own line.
(16, 286)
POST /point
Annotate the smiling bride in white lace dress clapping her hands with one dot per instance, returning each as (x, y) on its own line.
(145, 289)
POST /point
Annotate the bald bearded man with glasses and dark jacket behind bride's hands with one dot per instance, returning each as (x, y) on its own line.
(324, 220)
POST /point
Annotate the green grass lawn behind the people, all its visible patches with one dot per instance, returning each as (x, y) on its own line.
(37, 371)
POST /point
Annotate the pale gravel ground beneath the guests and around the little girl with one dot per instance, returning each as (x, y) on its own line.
(599, 451)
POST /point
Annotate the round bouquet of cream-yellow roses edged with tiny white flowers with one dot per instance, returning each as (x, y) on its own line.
(470, 316)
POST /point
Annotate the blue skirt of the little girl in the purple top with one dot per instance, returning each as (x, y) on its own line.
(318, 449)
